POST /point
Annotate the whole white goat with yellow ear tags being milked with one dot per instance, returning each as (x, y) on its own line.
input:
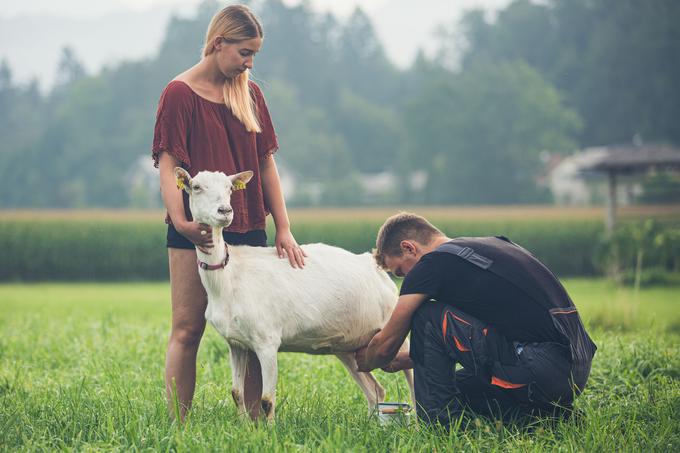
(260, 303)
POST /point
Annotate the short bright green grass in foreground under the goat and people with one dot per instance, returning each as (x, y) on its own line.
(81, 368)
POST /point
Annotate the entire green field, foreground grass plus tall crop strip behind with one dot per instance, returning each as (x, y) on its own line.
(85, 313)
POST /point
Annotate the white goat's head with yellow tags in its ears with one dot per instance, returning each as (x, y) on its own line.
(210, 194)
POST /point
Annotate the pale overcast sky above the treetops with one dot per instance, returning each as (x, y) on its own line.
(103, 32)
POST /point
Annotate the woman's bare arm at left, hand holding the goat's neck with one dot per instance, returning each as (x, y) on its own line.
(172, 198)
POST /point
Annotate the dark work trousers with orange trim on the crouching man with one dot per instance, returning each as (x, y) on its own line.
(499, 378)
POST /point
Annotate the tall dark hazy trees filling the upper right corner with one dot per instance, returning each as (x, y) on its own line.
(616, 61)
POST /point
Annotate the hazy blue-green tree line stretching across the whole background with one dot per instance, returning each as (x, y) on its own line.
(473, 120)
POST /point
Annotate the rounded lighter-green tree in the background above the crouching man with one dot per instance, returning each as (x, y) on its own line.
(483, 130)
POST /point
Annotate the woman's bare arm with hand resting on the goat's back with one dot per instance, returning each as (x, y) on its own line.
(273, 197)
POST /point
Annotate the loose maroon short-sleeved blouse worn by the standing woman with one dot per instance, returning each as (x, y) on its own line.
(205, 135)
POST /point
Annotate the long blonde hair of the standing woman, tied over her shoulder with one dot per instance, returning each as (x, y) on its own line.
(236, 23)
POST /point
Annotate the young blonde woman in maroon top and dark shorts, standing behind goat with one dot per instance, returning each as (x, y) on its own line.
(211, 117)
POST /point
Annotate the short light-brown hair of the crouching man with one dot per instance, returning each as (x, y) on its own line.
(399, 227)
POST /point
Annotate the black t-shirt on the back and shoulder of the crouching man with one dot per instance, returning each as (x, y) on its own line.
(482, 294)
